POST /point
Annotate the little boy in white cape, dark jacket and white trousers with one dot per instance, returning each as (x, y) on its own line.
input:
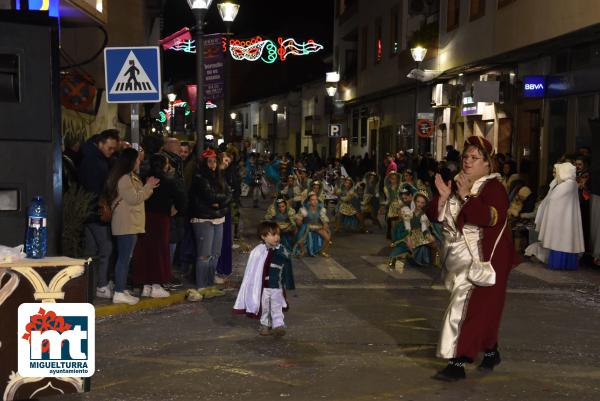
(268, 273)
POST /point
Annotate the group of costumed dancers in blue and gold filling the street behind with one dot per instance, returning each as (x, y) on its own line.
(301, 211)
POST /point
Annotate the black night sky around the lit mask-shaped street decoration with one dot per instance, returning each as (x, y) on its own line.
(302, 20)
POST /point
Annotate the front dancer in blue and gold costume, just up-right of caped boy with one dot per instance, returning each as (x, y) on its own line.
(313, 236)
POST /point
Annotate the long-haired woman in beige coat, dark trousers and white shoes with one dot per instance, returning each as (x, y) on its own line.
(127, 194)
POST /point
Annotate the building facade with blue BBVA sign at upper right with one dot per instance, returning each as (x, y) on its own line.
(528, 82)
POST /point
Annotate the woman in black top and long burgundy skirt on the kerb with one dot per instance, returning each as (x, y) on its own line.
(151, 258)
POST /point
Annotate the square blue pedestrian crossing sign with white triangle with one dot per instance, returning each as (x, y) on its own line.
(132, 74)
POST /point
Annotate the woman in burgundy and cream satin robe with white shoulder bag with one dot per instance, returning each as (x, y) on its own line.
(472, 211)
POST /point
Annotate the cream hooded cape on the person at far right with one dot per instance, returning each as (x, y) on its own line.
(558, 219)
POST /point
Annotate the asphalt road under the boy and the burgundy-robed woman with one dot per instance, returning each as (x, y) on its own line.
(355, 332)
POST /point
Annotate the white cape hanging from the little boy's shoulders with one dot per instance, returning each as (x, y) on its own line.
(249, 296)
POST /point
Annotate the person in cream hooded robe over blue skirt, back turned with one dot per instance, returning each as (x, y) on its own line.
(558, 222)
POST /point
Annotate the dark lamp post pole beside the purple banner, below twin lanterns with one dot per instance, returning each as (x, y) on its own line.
(200, 103)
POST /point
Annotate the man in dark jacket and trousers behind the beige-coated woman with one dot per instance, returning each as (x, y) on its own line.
(93, 172)
